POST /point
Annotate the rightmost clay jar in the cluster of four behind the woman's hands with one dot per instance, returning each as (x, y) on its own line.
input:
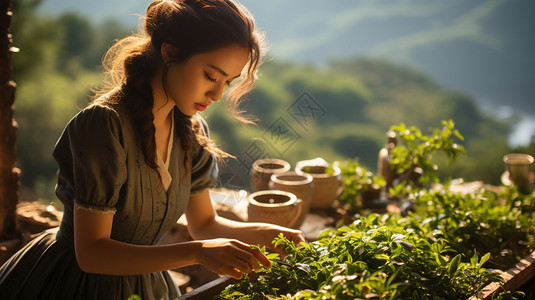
(326, 188)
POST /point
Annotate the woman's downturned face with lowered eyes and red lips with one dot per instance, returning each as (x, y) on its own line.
(196, 82)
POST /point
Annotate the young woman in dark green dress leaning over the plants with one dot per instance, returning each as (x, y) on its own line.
(139, 156)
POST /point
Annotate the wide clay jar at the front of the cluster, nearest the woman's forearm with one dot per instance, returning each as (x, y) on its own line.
(275, 207)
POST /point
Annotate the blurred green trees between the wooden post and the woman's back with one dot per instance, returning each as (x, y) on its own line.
(54, 71)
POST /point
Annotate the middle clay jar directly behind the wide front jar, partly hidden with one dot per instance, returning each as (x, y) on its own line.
(298, 184)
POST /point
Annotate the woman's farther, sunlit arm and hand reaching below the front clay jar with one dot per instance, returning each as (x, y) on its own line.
(203, 223)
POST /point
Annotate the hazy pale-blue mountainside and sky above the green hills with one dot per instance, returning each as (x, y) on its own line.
(483, 48)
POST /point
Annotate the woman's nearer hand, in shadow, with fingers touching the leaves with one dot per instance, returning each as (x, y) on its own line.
(231, 257)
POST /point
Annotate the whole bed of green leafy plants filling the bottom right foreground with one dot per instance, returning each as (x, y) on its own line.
(441, 251)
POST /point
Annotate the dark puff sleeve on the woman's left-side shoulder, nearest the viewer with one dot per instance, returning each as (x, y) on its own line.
(91, 159)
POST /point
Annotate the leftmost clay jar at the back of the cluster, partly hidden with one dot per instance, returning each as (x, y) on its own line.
(262, 170)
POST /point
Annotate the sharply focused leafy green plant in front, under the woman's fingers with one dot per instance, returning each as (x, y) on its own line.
(366, 261)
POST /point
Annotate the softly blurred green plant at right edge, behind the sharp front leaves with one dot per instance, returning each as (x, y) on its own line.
(484, 221)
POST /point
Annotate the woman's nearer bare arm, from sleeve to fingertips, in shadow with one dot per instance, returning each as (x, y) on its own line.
(96, 252)
